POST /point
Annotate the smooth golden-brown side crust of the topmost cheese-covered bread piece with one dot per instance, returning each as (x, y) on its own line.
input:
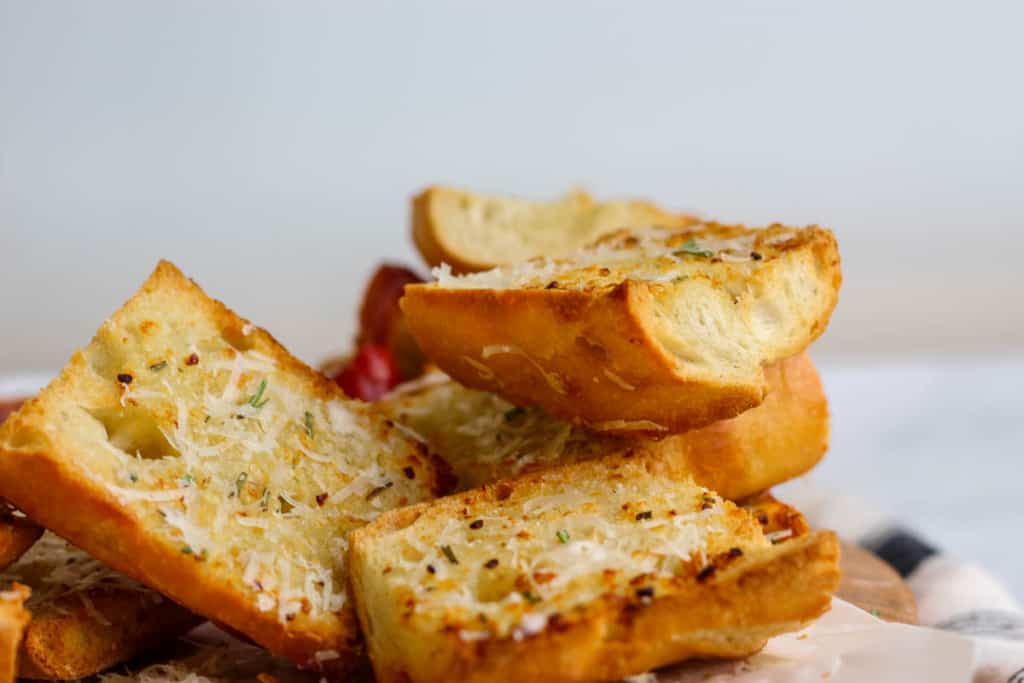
(567, 339)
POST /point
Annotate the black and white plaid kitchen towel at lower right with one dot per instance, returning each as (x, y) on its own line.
(952, 595)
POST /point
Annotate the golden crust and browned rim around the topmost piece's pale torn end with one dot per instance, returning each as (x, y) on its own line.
(595, 356)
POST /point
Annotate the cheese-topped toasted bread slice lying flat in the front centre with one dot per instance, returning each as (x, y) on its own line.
(588, 573)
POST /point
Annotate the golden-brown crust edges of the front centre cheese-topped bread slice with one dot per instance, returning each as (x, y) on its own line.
(732, 613)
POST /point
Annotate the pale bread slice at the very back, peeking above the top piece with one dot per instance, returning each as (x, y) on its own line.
(473, 232)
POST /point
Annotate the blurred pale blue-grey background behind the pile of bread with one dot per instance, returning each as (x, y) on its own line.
(271, 150)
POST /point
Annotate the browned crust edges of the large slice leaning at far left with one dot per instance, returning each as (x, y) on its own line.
(37, 468)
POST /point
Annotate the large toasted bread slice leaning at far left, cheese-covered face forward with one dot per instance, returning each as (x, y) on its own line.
(191, 452)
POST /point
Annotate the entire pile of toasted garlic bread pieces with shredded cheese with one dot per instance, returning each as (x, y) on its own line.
(573, 491)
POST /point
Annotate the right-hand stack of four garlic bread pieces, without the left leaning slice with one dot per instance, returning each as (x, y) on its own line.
(601, 406)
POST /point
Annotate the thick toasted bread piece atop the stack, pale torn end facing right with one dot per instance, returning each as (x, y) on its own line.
(650, 331)
